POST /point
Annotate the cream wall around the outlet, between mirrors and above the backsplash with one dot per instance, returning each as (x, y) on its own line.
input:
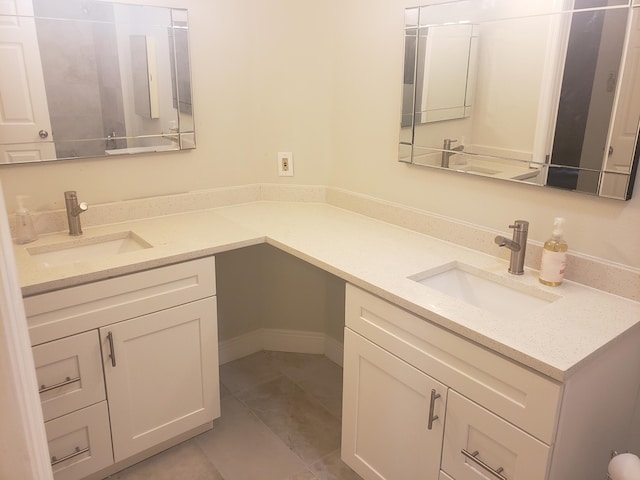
(322, 79)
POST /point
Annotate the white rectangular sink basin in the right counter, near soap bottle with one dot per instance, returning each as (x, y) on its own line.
(483, 290)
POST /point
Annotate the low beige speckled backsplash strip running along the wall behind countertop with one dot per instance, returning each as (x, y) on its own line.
(593, 272)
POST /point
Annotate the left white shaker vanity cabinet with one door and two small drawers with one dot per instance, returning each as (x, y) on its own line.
(128, 365)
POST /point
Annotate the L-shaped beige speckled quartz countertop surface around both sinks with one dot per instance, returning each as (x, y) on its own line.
(554, 340)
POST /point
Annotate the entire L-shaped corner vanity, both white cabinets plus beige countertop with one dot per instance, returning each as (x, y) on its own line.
(434, 387)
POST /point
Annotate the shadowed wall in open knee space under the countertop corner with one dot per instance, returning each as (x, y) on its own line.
(281, 292)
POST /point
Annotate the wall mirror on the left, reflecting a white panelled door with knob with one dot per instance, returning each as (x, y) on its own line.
(86, 78)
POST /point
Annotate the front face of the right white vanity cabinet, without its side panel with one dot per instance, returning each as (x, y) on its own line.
(495, 419)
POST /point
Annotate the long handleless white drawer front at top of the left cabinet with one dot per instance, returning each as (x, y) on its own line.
(93, 305)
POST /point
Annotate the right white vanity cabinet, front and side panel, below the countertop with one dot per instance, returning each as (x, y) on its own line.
(421, 402)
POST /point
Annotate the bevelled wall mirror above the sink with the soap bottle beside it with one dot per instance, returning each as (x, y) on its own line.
(544, 93)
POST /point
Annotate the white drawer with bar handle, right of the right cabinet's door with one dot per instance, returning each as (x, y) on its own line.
(479, 445)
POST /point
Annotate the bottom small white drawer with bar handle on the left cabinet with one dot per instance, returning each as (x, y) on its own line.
(80, 442)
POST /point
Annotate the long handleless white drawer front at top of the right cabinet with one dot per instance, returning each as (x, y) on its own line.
(523, 397)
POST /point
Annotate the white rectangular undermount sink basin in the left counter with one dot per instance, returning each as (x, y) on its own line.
(87, 249)
